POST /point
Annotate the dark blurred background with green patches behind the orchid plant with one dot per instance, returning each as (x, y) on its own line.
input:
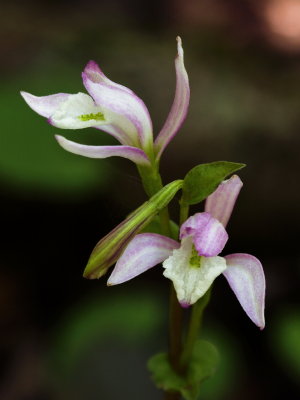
(64, 337)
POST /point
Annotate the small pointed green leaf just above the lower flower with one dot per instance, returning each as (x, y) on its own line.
(203, 179)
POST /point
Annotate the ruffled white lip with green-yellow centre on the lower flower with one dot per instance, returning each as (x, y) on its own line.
(191, 282)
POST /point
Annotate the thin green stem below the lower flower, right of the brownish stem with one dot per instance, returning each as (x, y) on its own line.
(194, 328)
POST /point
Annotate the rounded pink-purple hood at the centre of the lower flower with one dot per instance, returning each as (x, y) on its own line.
(209, 235)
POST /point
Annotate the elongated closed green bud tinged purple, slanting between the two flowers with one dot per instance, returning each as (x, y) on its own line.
(109, 248)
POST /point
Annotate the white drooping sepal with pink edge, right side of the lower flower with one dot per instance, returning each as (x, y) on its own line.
(246, 278)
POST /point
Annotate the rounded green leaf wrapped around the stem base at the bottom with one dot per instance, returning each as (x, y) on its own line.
(203, 364)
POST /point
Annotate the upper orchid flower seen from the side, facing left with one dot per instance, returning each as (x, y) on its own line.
(116, 110)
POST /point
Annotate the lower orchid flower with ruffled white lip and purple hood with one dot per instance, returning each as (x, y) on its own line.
(194, 263)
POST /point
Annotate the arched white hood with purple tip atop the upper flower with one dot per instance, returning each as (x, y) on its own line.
(128, 111)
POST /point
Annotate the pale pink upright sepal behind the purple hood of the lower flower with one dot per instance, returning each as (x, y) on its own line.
(221, 202)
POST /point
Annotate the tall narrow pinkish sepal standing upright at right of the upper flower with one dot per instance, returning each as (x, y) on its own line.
(179, 107)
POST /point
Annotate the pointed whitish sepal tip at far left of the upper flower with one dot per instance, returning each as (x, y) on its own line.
(45, 105)
